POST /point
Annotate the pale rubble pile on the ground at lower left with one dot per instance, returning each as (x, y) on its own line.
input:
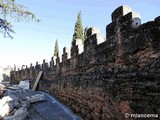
(14, 106)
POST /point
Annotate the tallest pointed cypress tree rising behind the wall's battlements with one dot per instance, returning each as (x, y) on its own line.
(78, 29)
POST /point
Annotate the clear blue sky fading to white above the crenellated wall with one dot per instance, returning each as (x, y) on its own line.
(35, 41)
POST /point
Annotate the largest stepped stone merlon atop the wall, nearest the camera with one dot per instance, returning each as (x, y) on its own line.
(124, 20)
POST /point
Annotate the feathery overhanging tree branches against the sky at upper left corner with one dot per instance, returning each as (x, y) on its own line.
(10, 9)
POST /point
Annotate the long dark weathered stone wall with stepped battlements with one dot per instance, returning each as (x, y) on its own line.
(104, 79)
